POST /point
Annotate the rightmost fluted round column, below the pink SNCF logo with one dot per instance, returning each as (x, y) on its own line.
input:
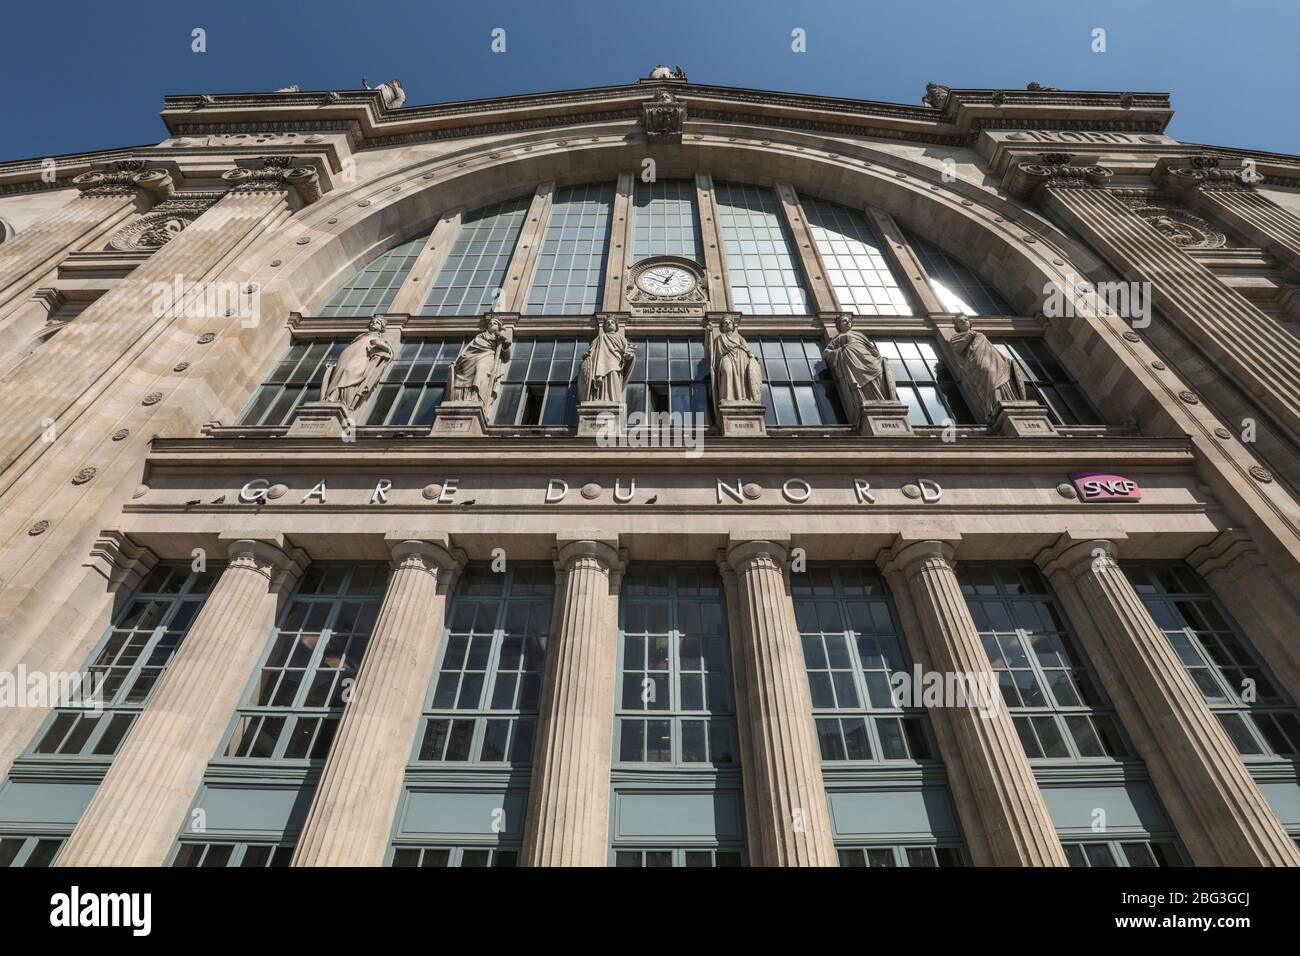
(1234, 815)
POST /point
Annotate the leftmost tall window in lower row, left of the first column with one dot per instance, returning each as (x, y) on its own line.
(131, 660)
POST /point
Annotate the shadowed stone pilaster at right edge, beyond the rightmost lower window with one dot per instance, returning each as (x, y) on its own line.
(1256, 599)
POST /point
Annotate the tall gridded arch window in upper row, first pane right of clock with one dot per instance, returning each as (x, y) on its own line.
(762, 265)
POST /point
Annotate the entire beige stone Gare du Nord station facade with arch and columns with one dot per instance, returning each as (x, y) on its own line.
(610, 477)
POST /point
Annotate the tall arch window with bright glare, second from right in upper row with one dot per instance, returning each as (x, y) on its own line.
(855, 261)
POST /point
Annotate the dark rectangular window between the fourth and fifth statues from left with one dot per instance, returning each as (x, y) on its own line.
(799, 387)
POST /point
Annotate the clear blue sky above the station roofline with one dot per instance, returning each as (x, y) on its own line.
(89, 75)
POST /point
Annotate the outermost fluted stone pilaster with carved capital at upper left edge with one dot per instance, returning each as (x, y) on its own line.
(106, 200)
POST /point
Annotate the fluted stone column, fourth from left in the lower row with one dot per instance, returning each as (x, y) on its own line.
(794, 821)
